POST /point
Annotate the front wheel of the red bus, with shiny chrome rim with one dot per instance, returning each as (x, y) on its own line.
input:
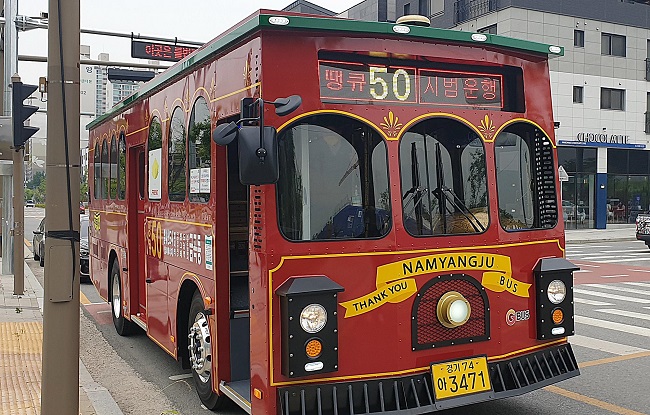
(203, 381)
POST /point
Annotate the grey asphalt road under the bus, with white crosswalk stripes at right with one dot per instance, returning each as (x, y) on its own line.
(612, 345)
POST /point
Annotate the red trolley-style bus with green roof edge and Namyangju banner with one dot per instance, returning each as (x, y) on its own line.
(379, 233)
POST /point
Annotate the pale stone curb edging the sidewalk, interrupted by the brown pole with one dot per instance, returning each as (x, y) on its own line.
(100, 398)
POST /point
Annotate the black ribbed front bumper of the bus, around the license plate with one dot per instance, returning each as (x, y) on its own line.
(413, 394)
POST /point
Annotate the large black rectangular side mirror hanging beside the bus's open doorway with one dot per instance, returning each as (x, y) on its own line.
(252, 170)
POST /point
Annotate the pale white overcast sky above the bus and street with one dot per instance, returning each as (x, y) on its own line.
(191, 20)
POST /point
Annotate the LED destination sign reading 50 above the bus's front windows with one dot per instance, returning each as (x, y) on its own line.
(362, 83)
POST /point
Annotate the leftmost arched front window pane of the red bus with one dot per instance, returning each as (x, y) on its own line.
(333, 180)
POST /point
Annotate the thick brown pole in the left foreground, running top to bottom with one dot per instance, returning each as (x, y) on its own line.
(60, 384)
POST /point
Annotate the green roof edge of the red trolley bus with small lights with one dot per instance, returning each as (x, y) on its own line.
(293, 21)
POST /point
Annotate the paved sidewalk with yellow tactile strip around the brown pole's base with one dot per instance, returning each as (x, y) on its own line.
(21, 344)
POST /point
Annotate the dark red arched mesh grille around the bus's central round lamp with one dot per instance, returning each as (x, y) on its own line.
(428, 332)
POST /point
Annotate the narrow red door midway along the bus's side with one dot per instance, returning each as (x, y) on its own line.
(136, 233)
